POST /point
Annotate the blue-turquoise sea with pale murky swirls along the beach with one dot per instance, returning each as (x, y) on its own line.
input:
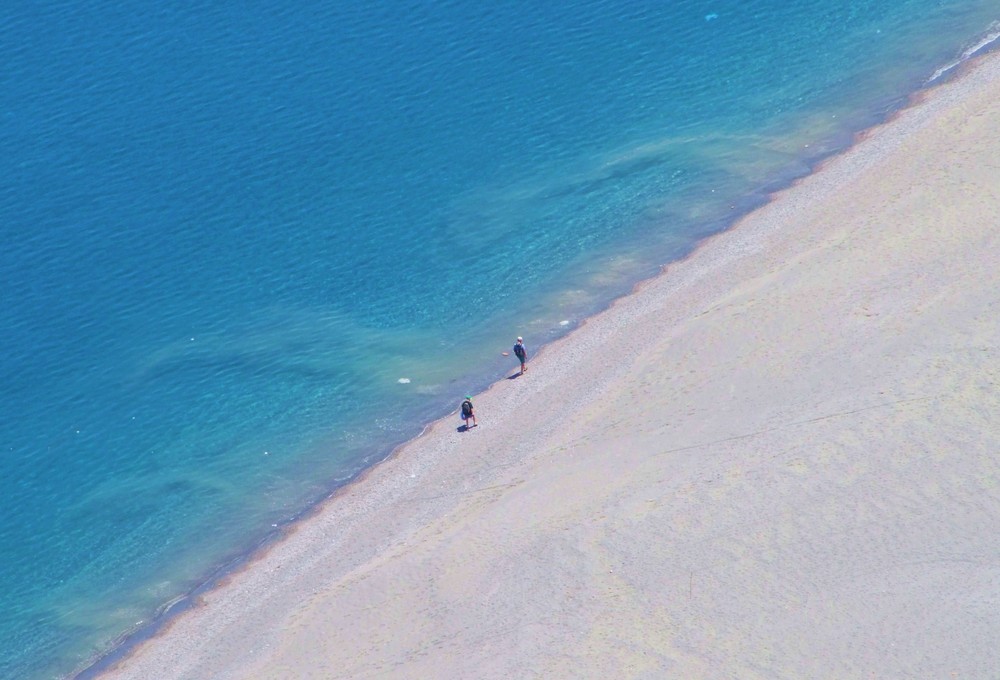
(249, 249)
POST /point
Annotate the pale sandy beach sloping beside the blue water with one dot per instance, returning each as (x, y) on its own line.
(778, 459)
